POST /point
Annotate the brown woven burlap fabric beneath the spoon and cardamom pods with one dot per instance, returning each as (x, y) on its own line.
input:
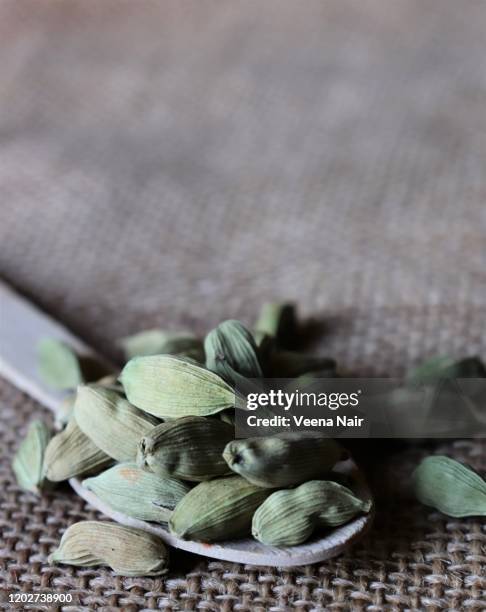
(177, 163)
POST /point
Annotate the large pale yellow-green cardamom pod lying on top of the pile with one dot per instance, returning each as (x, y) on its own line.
(173, 387)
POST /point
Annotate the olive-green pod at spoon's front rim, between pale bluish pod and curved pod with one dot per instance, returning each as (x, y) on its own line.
(216, 510)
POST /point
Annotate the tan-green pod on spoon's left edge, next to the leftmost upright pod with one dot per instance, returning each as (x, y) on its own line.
(71, 453)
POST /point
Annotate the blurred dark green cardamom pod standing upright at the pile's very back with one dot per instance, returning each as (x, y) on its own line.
(279, 321)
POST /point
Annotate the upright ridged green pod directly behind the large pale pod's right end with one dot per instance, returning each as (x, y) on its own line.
(231, 352)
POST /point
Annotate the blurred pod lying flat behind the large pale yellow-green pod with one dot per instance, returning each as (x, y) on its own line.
(159, 342)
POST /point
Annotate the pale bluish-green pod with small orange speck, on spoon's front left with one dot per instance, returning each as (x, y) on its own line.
(137, 493)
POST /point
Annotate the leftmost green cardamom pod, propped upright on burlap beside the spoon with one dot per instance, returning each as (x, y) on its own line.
(28, 461)
